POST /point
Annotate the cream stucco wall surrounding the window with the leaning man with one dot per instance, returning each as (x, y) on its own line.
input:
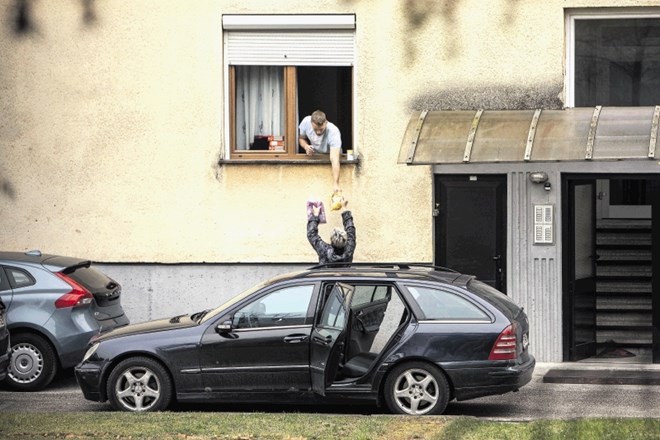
(111, 130)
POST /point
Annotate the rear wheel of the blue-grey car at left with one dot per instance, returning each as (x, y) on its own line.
(33, 362)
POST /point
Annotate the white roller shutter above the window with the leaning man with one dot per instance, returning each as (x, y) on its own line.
(289, 40)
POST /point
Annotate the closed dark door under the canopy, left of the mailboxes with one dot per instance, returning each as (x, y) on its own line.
(470, 226)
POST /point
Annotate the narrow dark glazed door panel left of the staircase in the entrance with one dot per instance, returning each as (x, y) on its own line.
(580, 268)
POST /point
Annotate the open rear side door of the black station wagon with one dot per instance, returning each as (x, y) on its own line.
(329, 337)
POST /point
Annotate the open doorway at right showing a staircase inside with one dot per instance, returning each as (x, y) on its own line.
(610, 239)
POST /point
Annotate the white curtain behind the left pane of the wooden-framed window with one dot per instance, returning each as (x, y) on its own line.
(259, 103)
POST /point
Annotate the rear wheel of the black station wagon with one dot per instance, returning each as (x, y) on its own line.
(416, 388)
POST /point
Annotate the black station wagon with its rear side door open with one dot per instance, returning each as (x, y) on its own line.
(411, 337)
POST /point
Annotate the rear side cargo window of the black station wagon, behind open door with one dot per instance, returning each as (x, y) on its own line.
(440, 304)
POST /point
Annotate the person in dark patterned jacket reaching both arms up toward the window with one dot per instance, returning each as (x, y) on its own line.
(342, 241)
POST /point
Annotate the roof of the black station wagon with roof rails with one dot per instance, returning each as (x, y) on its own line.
(400, 271)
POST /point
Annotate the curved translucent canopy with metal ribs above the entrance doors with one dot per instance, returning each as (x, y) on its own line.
(487, 136)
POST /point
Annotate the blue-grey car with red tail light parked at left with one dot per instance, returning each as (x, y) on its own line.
(55, 304)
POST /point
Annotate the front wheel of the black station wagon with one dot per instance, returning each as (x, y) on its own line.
(139, 384)
